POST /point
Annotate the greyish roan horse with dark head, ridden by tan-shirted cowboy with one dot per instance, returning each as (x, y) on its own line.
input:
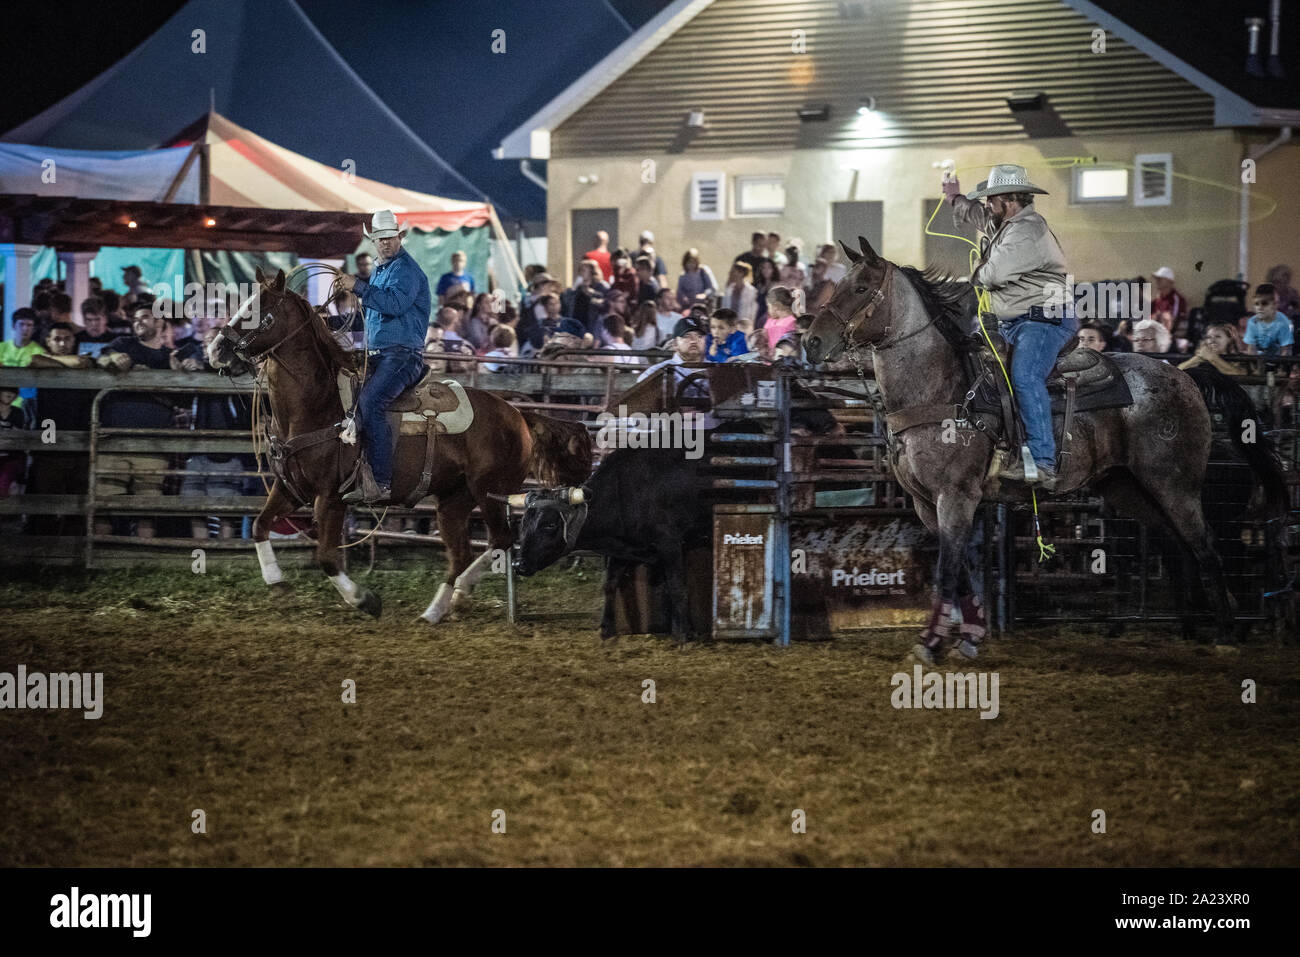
(1147, 461)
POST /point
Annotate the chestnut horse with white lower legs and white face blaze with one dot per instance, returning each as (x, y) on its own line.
(479, 467)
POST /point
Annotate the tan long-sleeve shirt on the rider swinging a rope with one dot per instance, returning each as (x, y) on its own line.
(1022, 262)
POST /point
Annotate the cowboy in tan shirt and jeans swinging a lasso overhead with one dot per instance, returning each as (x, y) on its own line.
(1021, 265)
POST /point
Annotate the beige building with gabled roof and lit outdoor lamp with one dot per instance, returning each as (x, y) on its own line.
(837, 118)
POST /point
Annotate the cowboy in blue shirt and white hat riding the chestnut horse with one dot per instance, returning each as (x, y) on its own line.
(397, 317)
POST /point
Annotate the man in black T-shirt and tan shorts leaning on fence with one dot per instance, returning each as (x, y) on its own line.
(135, 474)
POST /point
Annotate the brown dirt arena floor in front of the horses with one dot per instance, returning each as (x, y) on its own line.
(220, 698)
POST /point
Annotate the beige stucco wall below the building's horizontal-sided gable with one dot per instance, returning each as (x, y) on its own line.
(1102, 241)
